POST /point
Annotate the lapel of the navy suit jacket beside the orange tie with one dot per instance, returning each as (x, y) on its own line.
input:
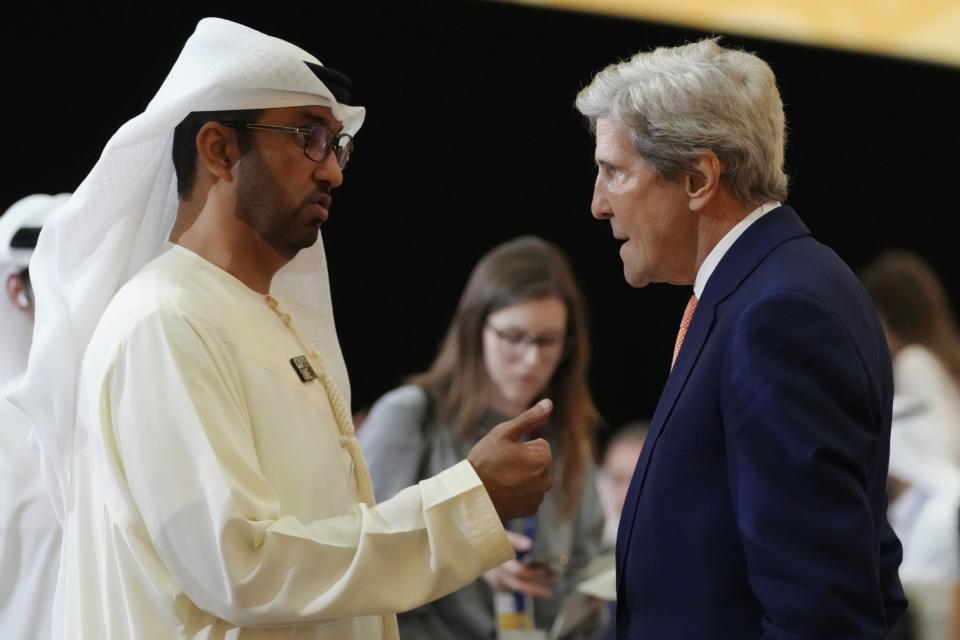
(747, 252)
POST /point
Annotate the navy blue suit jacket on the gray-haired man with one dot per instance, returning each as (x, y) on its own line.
(758, 506)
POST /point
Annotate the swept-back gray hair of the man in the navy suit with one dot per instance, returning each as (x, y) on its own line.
(681, 101)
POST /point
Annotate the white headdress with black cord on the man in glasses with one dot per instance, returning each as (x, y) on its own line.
(121, 215)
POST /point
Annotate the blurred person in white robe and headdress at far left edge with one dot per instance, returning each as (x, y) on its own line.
(29, 531)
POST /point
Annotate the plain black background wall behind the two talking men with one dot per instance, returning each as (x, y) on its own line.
(471, 139)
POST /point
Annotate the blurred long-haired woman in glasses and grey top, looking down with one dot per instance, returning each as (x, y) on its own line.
(519, 333)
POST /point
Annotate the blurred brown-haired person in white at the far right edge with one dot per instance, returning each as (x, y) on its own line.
(924, 475)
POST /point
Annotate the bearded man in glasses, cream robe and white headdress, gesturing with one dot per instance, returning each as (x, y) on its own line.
(215, 486)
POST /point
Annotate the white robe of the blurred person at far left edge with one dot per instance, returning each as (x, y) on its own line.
(29, 533)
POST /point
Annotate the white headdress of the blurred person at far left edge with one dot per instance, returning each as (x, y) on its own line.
(16, 327)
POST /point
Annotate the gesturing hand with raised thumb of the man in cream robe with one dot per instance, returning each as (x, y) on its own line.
(515, 474)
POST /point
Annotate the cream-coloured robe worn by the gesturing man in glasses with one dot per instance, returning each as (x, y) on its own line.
(215, 495)
